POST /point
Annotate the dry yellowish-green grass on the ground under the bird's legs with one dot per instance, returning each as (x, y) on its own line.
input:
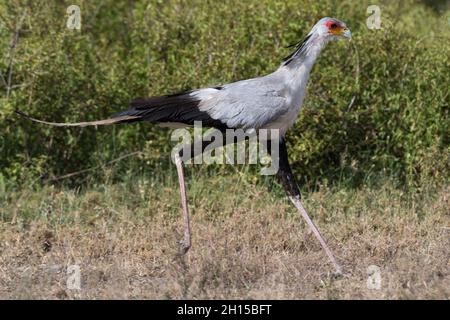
(246, 244)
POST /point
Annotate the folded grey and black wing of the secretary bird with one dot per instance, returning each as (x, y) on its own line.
(244, 104)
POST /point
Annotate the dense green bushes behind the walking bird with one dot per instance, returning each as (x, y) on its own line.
(378, 104)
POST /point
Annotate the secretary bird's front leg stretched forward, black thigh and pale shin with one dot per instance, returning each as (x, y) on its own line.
(287, 179)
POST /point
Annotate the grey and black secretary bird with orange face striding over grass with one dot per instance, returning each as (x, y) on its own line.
(268, 102)
